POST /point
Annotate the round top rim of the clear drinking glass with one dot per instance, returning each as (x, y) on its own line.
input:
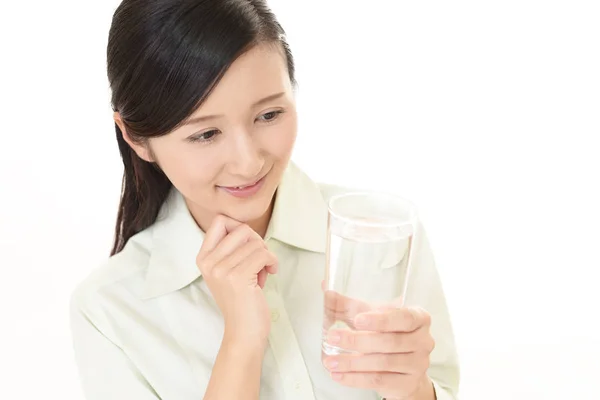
(411, 209)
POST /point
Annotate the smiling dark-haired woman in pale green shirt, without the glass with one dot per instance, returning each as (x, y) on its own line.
(213, 287)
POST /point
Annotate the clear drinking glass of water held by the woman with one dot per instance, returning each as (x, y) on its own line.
(369, 244)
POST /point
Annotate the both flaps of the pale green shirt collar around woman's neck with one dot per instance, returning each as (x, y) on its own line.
(299, 219)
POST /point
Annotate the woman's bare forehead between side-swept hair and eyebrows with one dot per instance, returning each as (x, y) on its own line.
(259, 73)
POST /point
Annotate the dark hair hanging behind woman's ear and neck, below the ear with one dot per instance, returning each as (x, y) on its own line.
(144, 189)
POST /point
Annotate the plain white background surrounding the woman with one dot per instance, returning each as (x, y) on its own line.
(486, 114)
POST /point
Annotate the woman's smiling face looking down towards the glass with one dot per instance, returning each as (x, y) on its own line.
(230, 155)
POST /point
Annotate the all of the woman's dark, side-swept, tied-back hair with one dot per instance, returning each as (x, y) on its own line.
(164, 57)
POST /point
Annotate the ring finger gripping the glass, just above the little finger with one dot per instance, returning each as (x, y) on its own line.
(410, 363)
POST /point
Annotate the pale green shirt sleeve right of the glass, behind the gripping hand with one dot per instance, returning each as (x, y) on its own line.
(425, 290)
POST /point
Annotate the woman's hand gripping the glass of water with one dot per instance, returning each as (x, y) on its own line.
(392, 346)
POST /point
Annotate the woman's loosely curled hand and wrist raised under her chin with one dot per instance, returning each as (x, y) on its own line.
(234, 262)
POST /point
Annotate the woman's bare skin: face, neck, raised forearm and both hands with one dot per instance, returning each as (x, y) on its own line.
(234, 138)
